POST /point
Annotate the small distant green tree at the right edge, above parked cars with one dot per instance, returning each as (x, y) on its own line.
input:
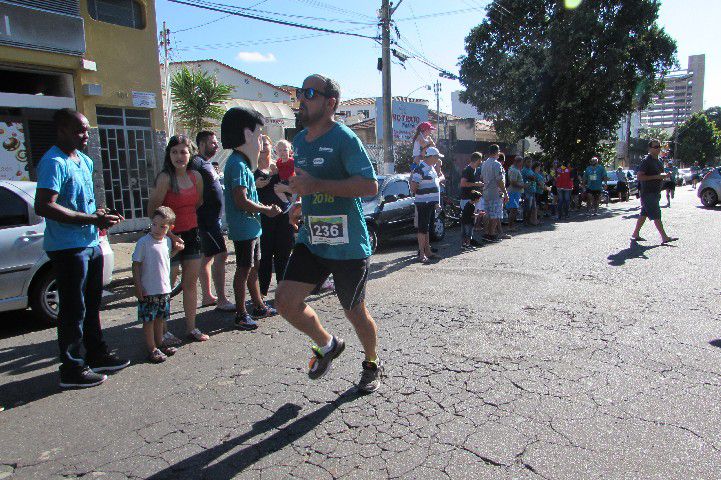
(698, 140)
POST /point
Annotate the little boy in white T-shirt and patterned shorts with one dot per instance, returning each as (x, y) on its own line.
(151, 275)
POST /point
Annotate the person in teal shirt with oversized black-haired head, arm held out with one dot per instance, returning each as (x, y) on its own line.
(241, 132)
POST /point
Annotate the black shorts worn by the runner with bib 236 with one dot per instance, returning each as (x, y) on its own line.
(350, 276)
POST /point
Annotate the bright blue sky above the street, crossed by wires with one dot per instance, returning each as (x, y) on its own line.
(278, 55)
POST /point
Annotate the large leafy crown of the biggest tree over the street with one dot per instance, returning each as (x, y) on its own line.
(565, 76)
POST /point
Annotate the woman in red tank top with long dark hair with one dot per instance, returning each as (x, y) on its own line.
(182, 190)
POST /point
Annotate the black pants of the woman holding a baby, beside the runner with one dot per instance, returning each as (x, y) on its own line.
(276, 242)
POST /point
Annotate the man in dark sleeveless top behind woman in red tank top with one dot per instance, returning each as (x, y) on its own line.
(212, 241)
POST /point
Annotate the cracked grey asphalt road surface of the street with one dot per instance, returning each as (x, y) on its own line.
(563, 353)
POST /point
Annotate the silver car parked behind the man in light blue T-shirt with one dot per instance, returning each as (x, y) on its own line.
(26, 279)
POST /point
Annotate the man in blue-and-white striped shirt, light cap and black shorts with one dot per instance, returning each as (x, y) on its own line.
(425, 185)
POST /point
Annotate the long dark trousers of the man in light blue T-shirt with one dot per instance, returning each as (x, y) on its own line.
(80, 286)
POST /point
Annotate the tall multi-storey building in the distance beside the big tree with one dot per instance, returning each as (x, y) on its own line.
(682, 96)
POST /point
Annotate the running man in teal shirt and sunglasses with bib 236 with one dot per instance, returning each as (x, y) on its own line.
(333, 172)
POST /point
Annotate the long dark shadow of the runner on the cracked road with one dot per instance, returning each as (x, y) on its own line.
(199, 465)
